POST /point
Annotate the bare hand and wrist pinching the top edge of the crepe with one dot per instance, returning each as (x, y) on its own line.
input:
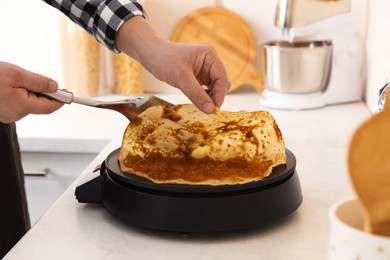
(185, 66)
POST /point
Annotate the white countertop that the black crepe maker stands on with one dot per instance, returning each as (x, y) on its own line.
(318, 138)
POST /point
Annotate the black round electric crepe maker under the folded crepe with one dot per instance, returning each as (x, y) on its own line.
(192, 208)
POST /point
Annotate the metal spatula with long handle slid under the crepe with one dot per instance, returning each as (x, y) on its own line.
(128, 107)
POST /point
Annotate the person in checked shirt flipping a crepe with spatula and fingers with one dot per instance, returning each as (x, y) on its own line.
(121, 27)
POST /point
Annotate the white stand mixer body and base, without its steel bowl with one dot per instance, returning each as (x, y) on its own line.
(314, 20)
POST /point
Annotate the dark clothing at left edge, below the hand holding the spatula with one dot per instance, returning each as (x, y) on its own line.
(14, 218)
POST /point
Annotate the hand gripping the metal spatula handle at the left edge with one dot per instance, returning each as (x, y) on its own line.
(17, 93)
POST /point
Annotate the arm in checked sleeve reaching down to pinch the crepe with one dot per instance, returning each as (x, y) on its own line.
(184, 66)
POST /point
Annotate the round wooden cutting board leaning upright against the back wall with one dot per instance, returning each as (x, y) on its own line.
(232, 38)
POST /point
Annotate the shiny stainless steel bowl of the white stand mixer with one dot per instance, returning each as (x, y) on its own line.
(296, 67)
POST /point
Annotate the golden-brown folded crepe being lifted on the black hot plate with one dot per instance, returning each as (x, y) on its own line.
(183, 145)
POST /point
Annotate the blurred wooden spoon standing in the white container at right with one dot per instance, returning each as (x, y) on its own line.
(369, 169)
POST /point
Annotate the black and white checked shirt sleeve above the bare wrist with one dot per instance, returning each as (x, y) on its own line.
(101, 18)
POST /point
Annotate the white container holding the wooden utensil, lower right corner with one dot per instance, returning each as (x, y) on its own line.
(348, 240)
